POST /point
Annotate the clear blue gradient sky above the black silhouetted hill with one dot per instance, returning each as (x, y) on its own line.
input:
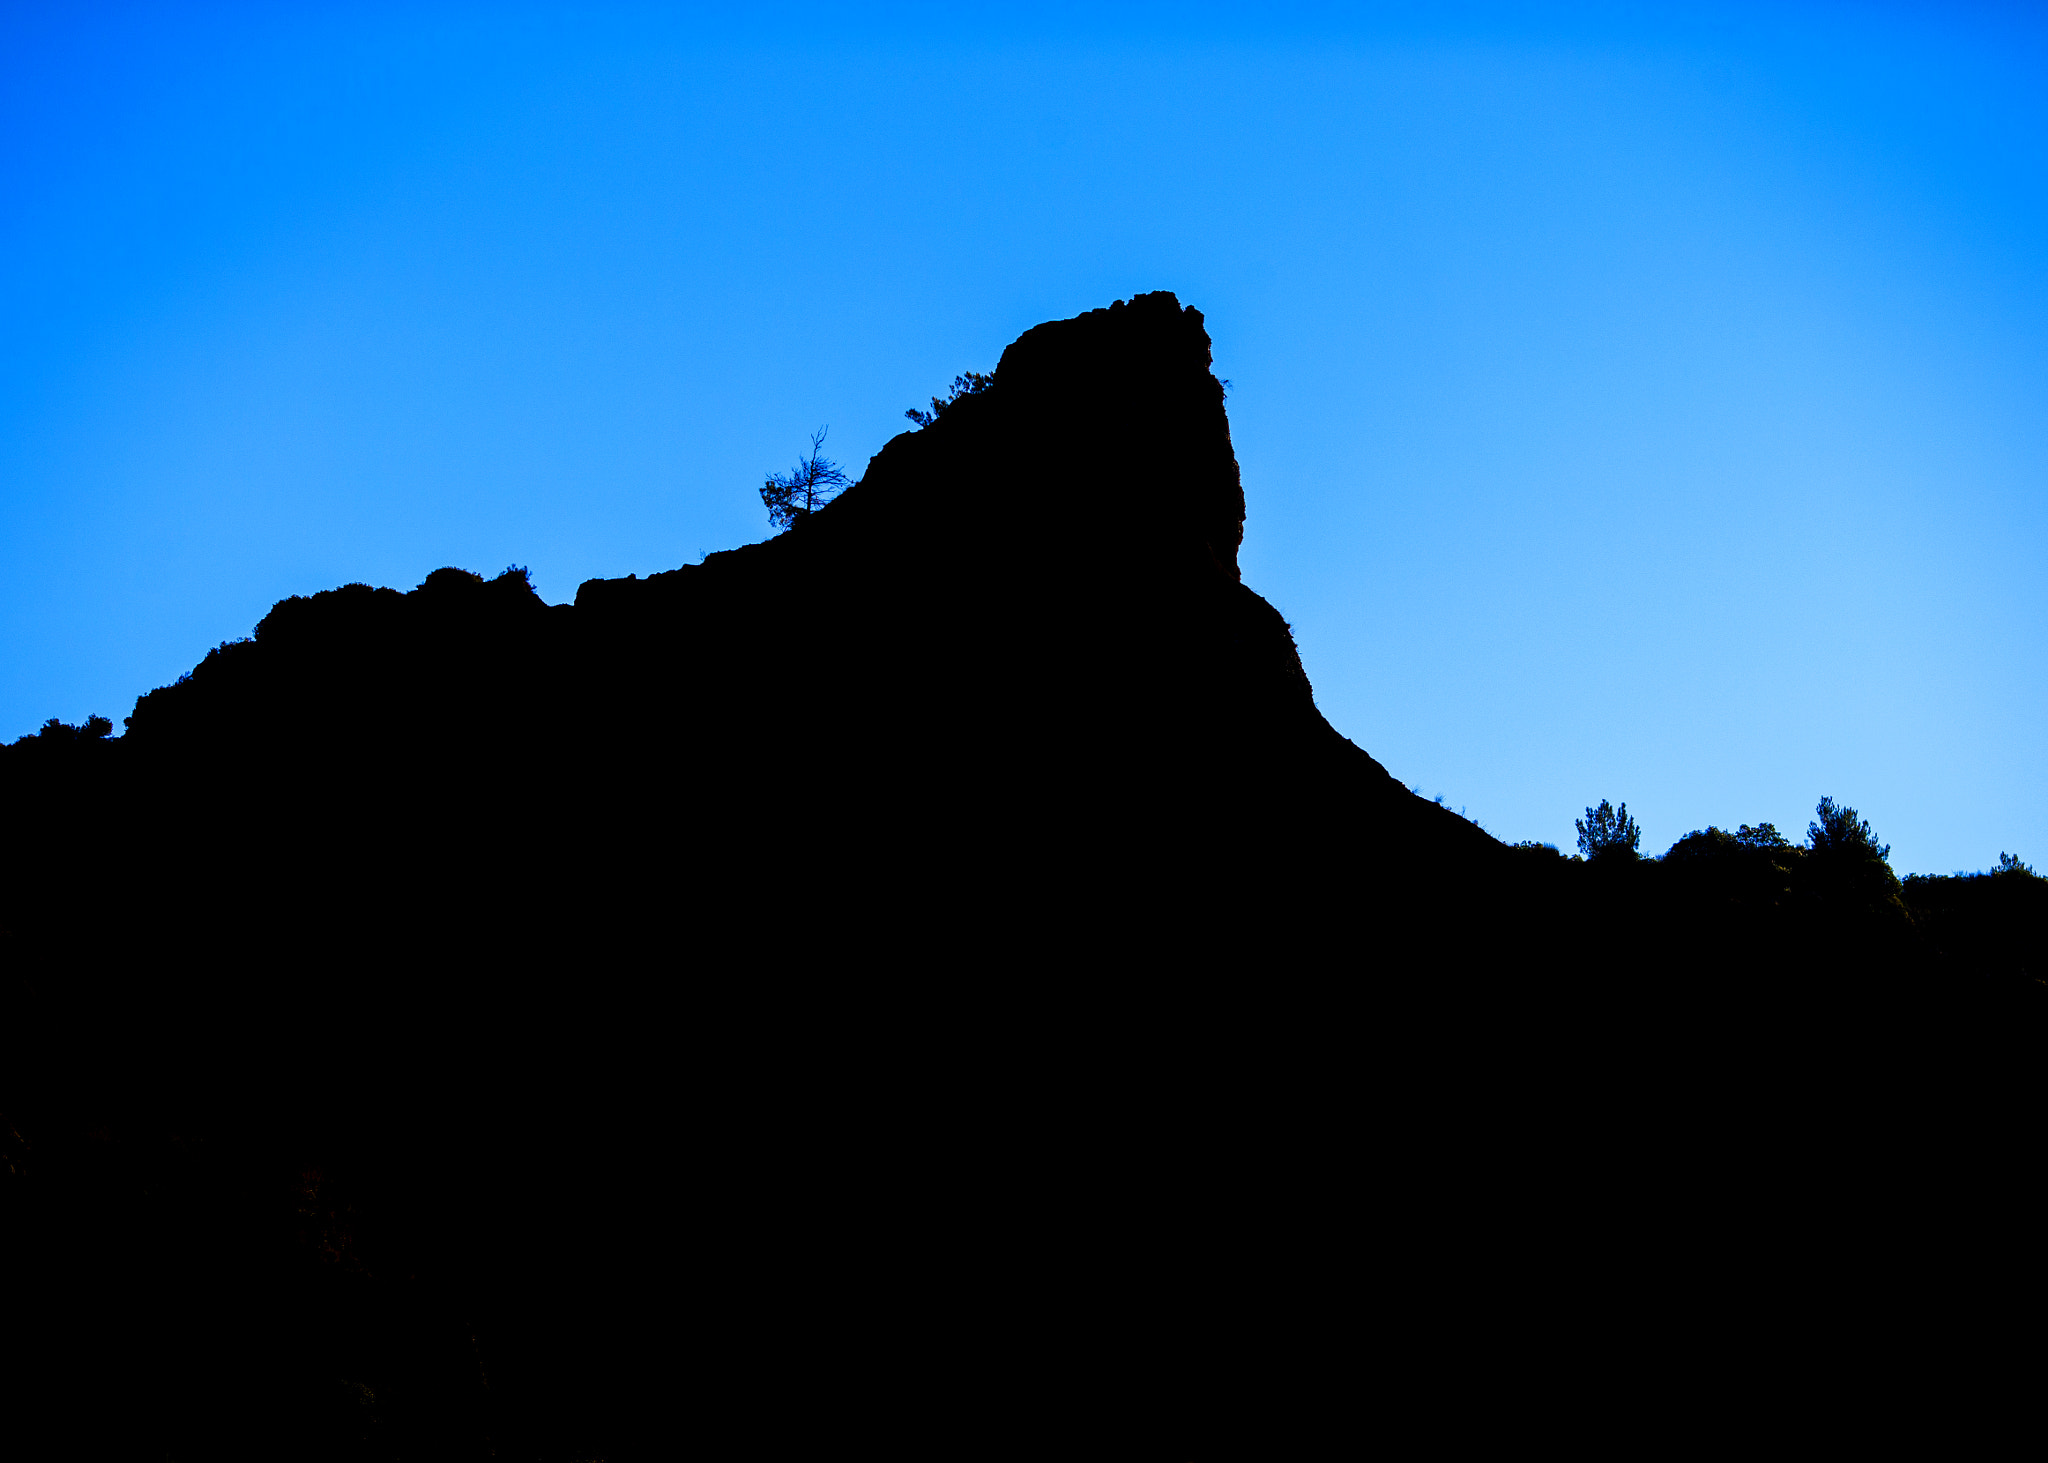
(1639, 411)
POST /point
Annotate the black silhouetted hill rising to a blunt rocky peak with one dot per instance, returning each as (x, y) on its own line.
(910, 985)
